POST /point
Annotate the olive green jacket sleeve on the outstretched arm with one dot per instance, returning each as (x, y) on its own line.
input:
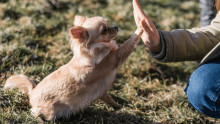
(189, 44)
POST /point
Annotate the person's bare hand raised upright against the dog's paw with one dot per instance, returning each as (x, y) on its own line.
(150, 35)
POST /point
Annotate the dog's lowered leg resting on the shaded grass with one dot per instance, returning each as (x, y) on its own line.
(107, 99)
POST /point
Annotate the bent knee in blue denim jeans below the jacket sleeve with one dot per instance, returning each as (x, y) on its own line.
(203, 89)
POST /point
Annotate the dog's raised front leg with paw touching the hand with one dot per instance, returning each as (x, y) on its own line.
(126, 49)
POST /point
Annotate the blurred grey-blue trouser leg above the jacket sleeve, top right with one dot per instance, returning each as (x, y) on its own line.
(207, 12)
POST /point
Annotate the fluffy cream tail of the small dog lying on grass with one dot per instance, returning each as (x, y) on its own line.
(22, 82)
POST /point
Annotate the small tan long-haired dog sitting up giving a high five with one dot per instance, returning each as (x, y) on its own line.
(87, 76)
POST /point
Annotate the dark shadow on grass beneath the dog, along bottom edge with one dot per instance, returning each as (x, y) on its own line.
(93, 116)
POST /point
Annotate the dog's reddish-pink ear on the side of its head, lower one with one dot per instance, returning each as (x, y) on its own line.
(79, 32)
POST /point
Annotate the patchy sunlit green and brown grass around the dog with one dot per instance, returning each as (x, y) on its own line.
(34, 41)
